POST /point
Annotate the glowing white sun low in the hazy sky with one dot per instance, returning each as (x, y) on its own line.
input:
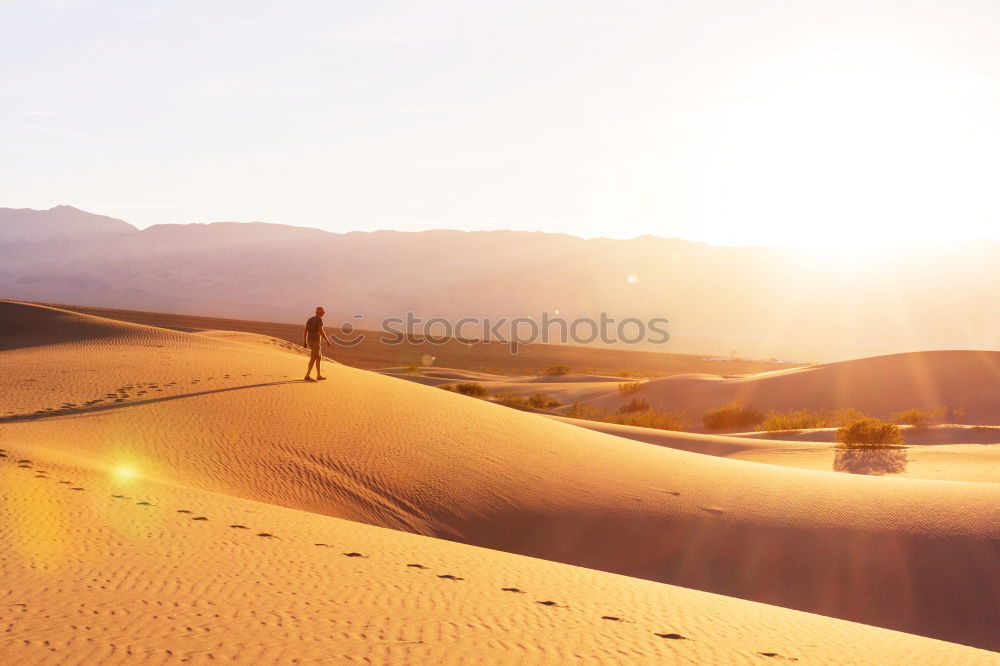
(844, 164)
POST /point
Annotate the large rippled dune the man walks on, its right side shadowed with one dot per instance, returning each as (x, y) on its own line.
(918, 556)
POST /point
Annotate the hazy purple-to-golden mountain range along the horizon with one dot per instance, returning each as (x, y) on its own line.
(755, 301)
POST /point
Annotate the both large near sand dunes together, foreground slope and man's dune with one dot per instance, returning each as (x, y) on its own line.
(220, 426)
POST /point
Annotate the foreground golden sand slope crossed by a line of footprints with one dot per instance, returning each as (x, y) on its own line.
(104, 569)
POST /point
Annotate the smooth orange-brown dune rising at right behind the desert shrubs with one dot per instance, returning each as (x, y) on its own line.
(879, 386)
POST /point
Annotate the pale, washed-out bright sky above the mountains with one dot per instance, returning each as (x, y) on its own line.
(727, 121)
